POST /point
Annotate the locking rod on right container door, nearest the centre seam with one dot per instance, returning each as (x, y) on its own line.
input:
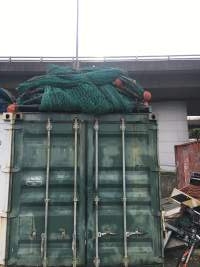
(96, 128)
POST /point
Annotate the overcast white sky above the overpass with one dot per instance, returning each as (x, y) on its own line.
(107, 27)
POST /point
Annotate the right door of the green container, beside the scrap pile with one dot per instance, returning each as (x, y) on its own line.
(124, 224)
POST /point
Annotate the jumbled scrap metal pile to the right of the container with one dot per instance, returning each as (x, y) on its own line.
(183, 221)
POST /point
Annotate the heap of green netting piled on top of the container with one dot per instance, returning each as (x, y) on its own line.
(90, 90)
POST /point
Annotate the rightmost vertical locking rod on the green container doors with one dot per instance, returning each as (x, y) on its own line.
(124, 193)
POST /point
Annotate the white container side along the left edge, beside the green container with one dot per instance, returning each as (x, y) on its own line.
(5, 175)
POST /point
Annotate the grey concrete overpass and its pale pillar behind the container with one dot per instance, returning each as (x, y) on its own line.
(173, 81)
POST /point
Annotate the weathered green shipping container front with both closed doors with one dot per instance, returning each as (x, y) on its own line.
(84, 191)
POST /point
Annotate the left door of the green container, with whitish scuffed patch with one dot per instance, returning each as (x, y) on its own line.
(47, 218)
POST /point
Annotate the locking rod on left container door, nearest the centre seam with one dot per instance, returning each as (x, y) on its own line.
(74, 249)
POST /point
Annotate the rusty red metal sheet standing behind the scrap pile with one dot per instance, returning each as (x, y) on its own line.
(187, 158)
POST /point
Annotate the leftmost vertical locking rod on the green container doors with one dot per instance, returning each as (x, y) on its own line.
(49, 127)
